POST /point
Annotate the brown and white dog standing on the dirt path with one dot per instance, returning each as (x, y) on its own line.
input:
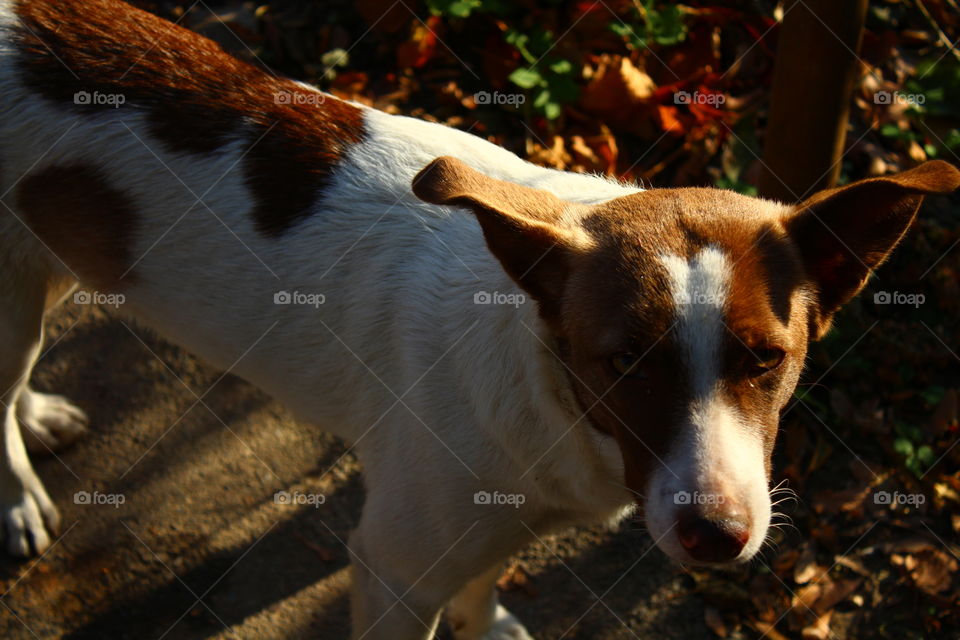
(509, 349)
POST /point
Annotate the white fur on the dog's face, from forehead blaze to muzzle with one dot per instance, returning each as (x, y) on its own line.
(717, 456)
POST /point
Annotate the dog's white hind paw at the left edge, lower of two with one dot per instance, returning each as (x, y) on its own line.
(27, 517)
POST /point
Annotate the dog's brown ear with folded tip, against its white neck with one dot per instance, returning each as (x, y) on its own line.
(522, 226)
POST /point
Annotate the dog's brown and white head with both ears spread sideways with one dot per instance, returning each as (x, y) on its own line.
(683, 317)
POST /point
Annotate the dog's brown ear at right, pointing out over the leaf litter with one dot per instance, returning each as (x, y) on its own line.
(843, 234)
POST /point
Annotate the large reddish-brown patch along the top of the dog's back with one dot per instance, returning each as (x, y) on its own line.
(196, 97)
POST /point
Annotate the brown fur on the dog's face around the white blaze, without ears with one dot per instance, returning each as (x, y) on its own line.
(619, 299)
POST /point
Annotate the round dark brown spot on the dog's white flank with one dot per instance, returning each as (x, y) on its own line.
(85, 221)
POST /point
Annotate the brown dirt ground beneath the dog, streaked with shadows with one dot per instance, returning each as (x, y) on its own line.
(199, 549)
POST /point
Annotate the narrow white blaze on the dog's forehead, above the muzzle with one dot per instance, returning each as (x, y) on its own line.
(699, 288)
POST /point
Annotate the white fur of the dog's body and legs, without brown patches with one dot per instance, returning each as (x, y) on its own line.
(441, 397)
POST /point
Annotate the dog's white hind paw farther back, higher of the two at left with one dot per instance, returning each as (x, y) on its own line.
(49, 422)
